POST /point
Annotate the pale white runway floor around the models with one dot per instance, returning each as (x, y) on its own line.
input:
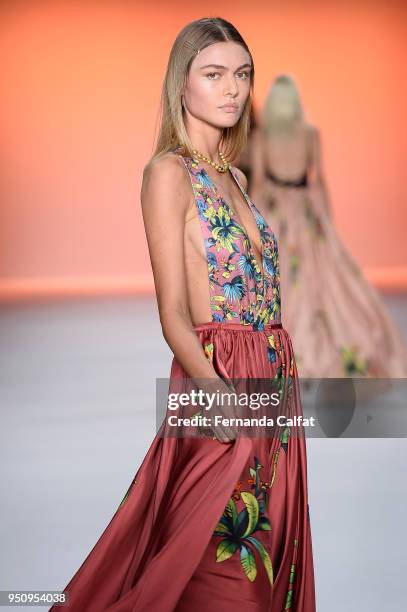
(77, 385)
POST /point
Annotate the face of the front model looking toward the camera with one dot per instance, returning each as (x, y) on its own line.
(218, 84)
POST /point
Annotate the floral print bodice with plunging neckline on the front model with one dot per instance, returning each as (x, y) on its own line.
(240, 290)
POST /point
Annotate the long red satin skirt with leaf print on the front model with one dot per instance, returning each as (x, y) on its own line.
(206, 525)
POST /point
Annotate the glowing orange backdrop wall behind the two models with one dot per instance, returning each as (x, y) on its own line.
(80, 88)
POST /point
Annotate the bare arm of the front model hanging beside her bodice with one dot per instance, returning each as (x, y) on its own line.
(165, 198)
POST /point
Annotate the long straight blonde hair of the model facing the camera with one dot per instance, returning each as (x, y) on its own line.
(172, 132)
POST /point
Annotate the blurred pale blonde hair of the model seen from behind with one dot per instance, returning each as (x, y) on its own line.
(283, 108)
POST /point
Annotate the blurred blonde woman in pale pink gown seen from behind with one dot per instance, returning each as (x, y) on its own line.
(329, 308)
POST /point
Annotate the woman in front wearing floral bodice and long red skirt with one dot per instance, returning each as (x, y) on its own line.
(218, 520)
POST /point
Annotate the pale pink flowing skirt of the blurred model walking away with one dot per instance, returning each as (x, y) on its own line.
(337, 322)
